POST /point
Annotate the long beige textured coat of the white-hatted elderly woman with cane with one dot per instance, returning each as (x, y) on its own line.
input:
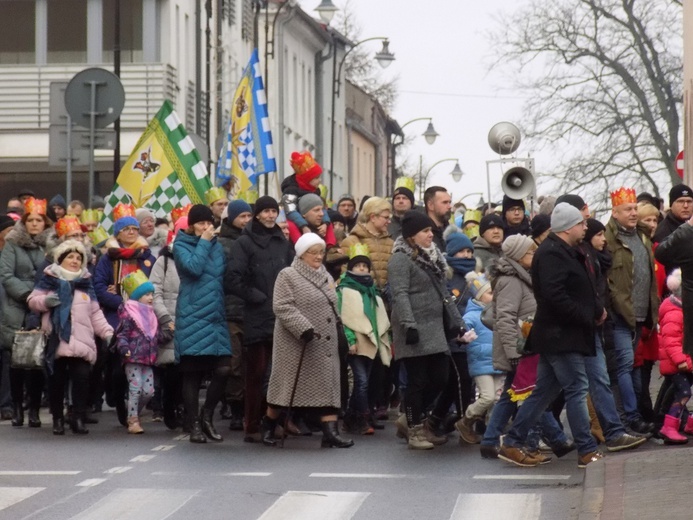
(300, 304)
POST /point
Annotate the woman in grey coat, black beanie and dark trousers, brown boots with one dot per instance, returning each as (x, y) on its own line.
(417, 274)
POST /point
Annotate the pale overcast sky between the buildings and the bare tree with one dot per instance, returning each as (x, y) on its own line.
(442, 55)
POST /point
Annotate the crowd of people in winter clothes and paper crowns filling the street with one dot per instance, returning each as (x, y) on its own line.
(298, 318)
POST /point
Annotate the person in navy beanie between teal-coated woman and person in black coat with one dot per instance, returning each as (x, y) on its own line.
(238, 214)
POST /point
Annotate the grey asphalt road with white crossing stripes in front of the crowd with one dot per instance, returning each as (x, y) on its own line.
(109, 474)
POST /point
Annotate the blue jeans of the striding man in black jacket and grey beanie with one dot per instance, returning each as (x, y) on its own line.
(557, 372)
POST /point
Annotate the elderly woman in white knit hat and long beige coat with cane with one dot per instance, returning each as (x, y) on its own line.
(305, 361)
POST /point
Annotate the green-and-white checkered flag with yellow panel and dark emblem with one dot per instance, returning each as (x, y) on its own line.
(163, 172)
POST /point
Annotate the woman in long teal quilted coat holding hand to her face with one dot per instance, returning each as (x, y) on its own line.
(202, 342)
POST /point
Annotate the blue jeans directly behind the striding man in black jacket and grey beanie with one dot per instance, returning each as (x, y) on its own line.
(602, 398)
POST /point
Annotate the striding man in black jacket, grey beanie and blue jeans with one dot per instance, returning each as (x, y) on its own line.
(563, 334)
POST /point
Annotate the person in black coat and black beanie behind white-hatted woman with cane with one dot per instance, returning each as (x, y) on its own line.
(256, 258)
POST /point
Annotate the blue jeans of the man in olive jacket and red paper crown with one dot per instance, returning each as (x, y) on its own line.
(625, 341)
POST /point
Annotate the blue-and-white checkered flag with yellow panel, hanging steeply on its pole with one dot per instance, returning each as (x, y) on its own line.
(247, 150)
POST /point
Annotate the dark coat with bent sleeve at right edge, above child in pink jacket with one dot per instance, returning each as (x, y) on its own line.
(678, 250)
